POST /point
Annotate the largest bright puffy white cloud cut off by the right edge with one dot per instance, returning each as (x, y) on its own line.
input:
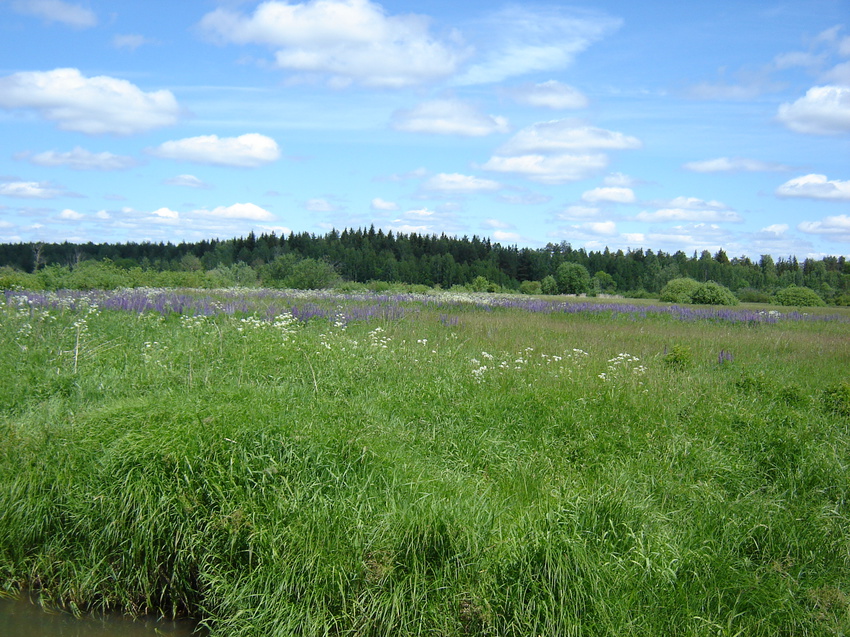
(824, 110)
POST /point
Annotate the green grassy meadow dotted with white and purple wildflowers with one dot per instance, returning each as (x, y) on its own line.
(325, 465)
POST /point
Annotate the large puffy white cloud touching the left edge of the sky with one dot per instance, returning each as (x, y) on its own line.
(95, 105)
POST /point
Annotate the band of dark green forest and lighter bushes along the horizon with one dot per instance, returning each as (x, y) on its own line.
(363, 256)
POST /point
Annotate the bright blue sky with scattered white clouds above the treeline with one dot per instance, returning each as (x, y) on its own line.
(659, 125)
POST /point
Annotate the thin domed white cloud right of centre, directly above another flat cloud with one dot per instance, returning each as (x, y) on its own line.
(565, 135)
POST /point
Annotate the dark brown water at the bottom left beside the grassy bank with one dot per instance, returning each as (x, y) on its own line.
(22, 618)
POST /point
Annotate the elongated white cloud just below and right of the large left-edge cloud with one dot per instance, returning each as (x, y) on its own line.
(247, 151)
